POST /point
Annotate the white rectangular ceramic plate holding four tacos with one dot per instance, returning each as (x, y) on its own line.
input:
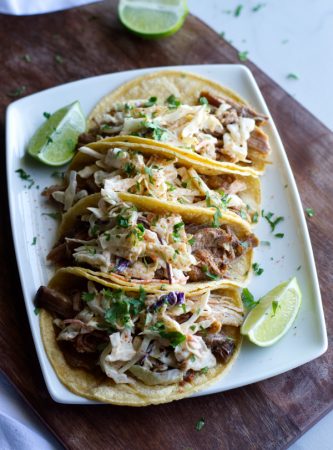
(282, 258)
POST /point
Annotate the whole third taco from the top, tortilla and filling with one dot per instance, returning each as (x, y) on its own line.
(133, 240)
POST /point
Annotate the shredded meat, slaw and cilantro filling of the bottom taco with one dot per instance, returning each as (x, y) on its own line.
(129, 336)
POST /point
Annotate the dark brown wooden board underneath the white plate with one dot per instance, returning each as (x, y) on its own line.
(267, 415)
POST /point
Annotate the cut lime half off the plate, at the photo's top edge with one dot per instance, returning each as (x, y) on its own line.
(153, 18)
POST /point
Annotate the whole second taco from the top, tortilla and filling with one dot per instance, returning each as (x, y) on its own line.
(159, 173)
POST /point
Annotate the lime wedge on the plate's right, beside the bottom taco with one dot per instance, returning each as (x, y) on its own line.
(273, 316)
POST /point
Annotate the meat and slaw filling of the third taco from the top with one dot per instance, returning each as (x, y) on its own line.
(140, 245)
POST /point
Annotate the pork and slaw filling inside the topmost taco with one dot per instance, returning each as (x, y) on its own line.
(216, 127)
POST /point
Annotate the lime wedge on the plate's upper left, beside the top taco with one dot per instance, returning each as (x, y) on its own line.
(54, 142)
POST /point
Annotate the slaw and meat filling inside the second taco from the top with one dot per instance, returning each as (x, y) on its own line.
(121, 170)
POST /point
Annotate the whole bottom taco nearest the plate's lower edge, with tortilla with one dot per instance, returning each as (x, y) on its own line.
(134, 347)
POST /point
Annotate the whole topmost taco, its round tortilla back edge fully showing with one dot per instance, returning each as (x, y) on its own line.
(186, 112)
